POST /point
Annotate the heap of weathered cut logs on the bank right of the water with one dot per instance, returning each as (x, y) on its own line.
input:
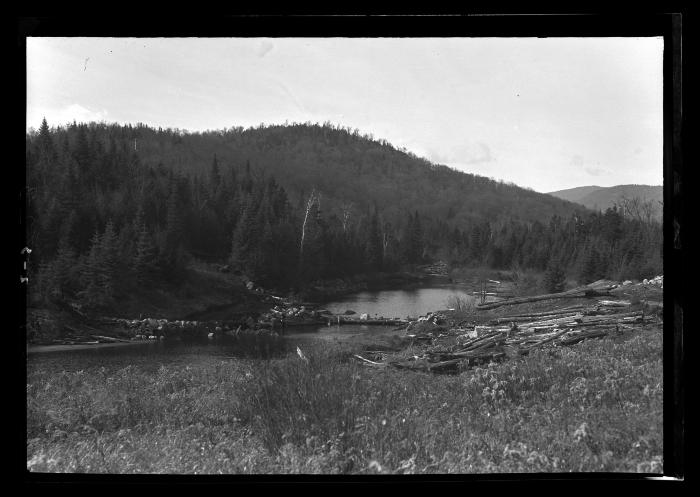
(513, 336)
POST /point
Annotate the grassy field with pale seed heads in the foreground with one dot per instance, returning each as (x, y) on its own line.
(593, 407)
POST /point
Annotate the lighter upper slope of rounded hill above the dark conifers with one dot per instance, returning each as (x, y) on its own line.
(346, 167)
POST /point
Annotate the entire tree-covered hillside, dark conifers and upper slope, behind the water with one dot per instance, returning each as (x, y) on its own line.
(112, 208)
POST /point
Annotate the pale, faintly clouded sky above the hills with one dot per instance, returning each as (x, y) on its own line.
(543, 113)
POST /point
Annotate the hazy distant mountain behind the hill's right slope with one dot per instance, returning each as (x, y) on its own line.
(601, 198)
